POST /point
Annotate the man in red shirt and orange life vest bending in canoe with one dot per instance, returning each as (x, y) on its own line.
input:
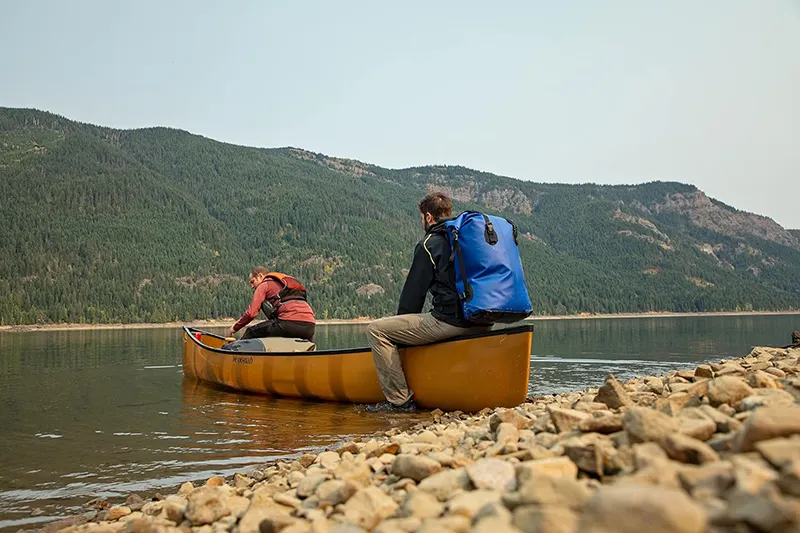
(283, 301)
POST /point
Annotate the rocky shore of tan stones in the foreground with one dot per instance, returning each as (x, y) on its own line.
(715, 449)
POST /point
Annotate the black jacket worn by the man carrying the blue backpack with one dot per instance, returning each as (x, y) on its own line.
(432, 270)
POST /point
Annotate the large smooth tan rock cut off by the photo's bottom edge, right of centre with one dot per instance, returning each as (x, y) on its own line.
(633, 509)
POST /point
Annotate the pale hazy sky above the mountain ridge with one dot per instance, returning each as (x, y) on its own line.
(705, 92)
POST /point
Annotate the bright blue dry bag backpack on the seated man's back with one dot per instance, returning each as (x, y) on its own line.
(489, 277)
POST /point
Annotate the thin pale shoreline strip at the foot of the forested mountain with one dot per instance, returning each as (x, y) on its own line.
(222, 323)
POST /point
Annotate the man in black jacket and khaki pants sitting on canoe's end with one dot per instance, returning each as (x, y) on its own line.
(431, 271)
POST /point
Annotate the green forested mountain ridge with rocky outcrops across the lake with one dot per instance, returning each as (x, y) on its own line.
(104, 225)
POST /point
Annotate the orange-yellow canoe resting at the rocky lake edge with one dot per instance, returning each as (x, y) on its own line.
(466, 373)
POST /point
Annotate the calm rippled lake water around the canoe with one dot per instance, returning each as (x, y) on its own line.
(105, 413)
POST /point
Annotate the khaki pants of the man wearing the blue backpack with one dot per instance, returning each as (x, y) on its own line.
(385, 333)
